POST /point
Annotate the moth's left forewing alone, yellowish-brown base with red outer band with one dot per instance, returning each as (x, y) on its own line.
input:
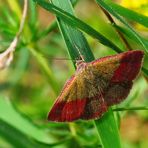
(68, 106)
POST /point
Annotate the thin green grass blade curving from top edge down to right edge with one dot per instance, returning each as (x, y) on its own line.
(107, 7)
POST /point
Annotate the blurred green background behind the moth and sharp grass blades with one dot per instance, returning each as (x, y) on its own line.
(29, 86)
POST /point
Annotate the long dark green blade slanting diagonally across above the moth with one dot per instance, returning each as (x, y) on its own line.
(75, 22)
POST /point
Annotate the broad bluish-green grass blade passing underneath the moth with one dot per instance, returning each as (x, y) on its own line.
(71, 37)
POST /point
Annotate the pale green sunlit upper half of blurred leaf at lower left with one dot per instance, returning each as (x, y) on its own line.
(21, 123)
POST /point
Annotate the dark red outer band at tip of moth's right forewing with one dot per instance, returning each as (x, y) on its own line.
(129, 66)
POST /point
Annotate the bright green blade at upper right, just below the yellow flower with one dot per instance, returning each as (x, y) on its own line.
(129, 14)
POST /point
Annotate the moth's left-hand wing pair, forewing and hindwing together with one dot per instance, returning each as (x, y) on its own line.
(76, 103)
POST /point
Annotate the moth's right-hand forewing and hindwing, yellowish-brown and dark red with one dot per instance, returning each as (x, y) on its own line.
(122, 69)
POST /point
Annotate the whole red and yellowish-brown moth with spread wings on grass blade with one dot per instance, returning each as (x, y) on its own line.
(96, 86)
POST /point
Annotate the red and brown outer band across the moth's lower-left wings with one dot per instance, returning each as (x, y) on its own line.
(86, 109)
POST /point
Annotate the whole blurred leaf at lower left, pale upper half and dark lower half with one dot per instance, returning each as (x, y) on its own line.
(18, 130)
